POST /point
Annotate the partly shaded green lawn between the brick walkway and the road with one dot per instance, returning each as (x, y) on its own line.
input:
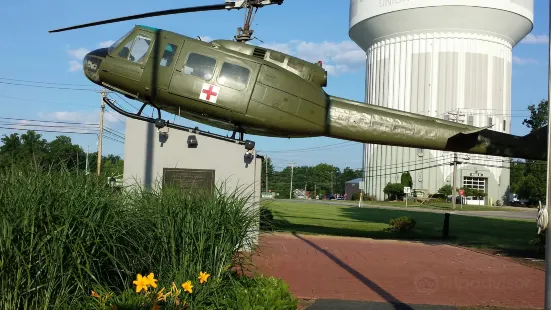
(510, 237)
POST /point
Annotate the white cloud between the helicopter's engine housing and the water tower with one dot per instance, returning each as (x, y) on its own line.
(337, 57)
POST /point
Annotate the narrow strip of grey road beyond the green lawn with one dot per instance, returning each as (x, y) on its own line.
(520, 213)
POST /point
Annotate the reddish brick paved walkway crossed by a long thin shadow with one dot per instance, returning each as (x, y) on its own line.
(397, 272)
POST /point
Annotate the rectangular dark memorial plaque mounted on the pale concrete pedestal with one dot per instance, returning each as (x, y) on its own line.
(189, 179)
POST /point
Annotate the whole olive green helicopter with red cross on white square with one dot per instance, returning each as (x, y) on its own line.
(236, 86)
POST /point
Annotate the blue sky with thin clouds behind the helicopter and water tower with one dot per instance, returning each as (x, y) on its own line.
(304, 28)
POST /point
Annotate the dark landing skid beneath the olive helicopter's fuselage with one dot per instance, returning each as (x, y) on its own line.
(160, 123)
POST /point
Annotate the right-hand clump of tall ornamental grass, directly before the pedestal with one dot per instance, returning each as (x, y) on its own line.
(197, 230)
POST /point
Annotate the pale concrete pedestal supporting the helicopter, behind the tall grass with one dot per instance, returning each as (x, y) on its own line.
(149, 155)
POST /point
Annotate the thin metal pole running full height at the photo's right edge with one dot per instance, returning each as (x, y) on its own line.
(548, 196)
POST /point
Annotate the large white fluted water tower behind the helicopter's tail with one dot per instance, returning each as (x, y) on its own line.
(443, 58)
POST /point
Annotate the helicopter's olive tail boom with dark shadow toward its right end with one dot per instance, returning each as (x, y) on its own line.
(373, 124)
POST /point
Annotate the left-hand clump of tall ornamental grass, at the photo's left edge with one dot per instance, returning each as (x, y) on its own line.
(61, 234)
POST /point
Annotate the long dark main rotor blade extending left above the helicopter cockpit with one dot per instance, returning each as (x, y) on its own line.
(227, 5)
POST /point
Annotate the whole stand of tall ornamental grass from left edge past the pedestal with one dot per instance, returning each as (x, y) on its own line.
(64, 235)
